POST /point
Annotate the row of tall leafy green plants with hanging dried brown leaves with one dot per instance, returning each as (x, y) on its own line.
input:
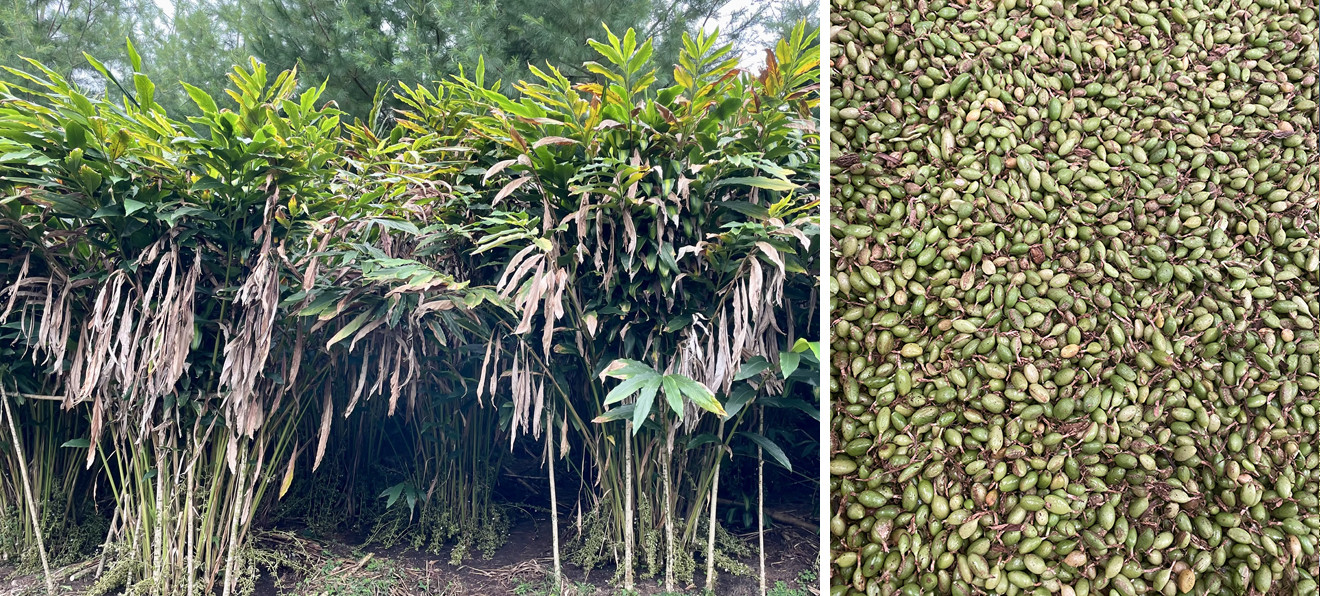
(267, 316)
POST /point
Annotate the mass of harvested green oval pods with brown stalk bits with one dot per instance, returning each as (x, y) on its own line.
(1075, 297)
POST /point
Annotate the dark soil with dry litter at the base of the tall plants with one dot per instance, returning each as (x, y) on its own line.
(340, 566)
